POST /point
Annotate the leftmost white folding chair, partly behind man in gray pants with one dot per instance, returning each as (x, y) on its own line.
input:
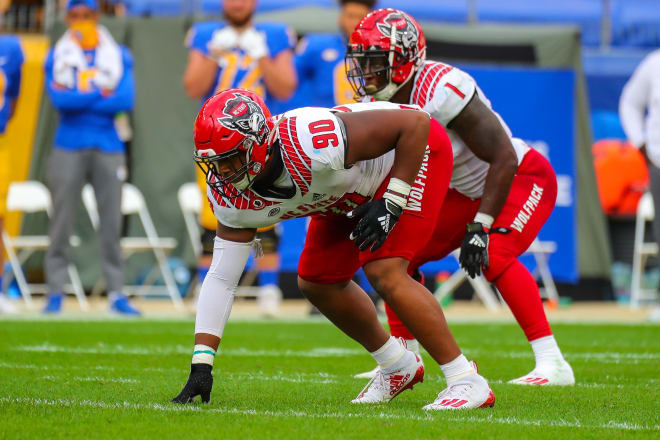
(32, 197)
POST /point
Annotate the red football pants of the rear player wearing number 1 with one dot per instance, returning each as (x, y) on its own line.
(531, 199)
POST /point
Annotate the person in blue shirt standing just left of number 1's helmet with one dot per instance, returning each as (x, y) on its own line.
(320, 60)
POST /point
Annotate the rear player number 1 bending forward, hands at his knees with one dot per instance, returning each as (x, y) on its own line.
(501, 191)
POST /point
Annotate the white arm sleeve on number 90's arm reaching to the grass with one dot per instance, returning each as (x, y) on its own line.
(217, 293)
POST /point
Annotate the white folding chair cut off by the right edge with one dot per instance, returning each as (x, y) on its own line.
(641, 251)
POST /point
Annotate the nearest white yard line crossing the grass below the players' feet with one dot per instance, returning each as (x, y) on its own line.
(447, 416)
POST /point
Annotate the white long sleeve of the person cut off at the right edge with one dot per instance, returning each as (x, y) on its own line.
(634, 100)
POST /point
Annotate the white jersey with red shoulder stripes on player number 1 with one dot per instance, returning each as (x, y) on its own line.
(444, 91)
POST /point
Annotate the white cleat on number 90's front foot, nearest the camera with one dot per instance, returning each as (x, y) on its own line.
(470, 392)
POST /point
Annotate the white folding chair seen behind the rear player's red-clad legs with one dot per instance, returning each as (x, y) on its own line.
(539, 249)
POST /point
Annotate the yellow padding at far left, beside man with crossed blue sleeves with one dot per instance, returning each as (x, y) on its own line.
(22, 128)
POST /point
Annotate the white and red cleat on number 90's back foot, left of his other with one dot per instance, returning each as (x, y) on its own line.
(385, 387)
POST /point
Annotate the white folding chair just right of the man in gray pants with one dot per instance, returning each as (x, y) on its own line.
(133, 203)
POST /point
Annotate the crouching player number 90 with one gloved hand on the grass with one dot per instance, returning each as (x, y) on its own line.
(373, 182)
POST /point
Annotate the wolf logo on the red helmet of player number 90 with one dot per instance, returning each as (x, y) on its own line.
(245, 116)
